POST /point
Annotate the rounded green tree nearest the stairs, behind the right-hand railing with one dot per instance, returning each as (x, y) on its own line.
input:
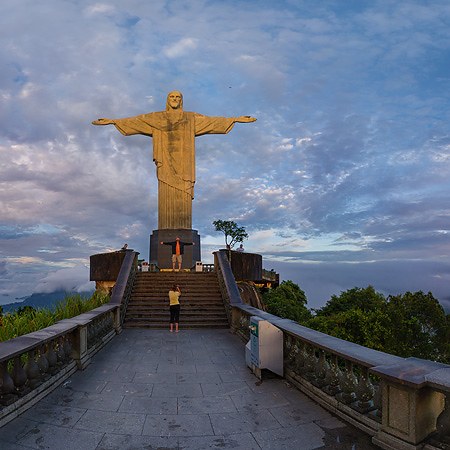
(287, 301)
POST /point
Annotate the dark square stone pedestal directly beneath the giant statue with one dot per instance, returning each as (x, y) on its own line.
(162, 254)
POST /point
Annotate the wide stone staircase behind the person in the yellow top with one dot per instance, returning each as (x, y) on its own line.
(201, 301)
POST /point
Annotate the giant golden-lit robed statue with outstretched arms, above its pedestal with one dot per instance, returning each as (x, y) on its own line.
(173, 132)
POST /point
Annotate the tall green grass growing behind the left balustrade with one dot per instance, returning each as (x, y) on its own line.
(28, 319)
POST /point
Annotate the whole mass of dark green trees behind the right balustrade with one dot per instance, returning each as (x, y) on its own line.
(410, 324)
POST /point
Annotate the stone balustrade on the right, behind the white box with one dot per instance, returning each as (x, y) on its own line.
(403, 403)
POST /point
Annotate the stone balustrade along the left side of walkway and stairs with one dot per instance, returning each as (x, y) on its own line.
(34, 364)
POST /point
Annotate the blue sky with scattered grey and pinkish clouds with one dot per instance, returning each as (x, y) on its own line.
(343, 181)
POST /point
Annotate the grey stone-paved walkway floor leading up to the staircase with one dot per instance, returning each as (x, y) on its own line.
(151, 389)
